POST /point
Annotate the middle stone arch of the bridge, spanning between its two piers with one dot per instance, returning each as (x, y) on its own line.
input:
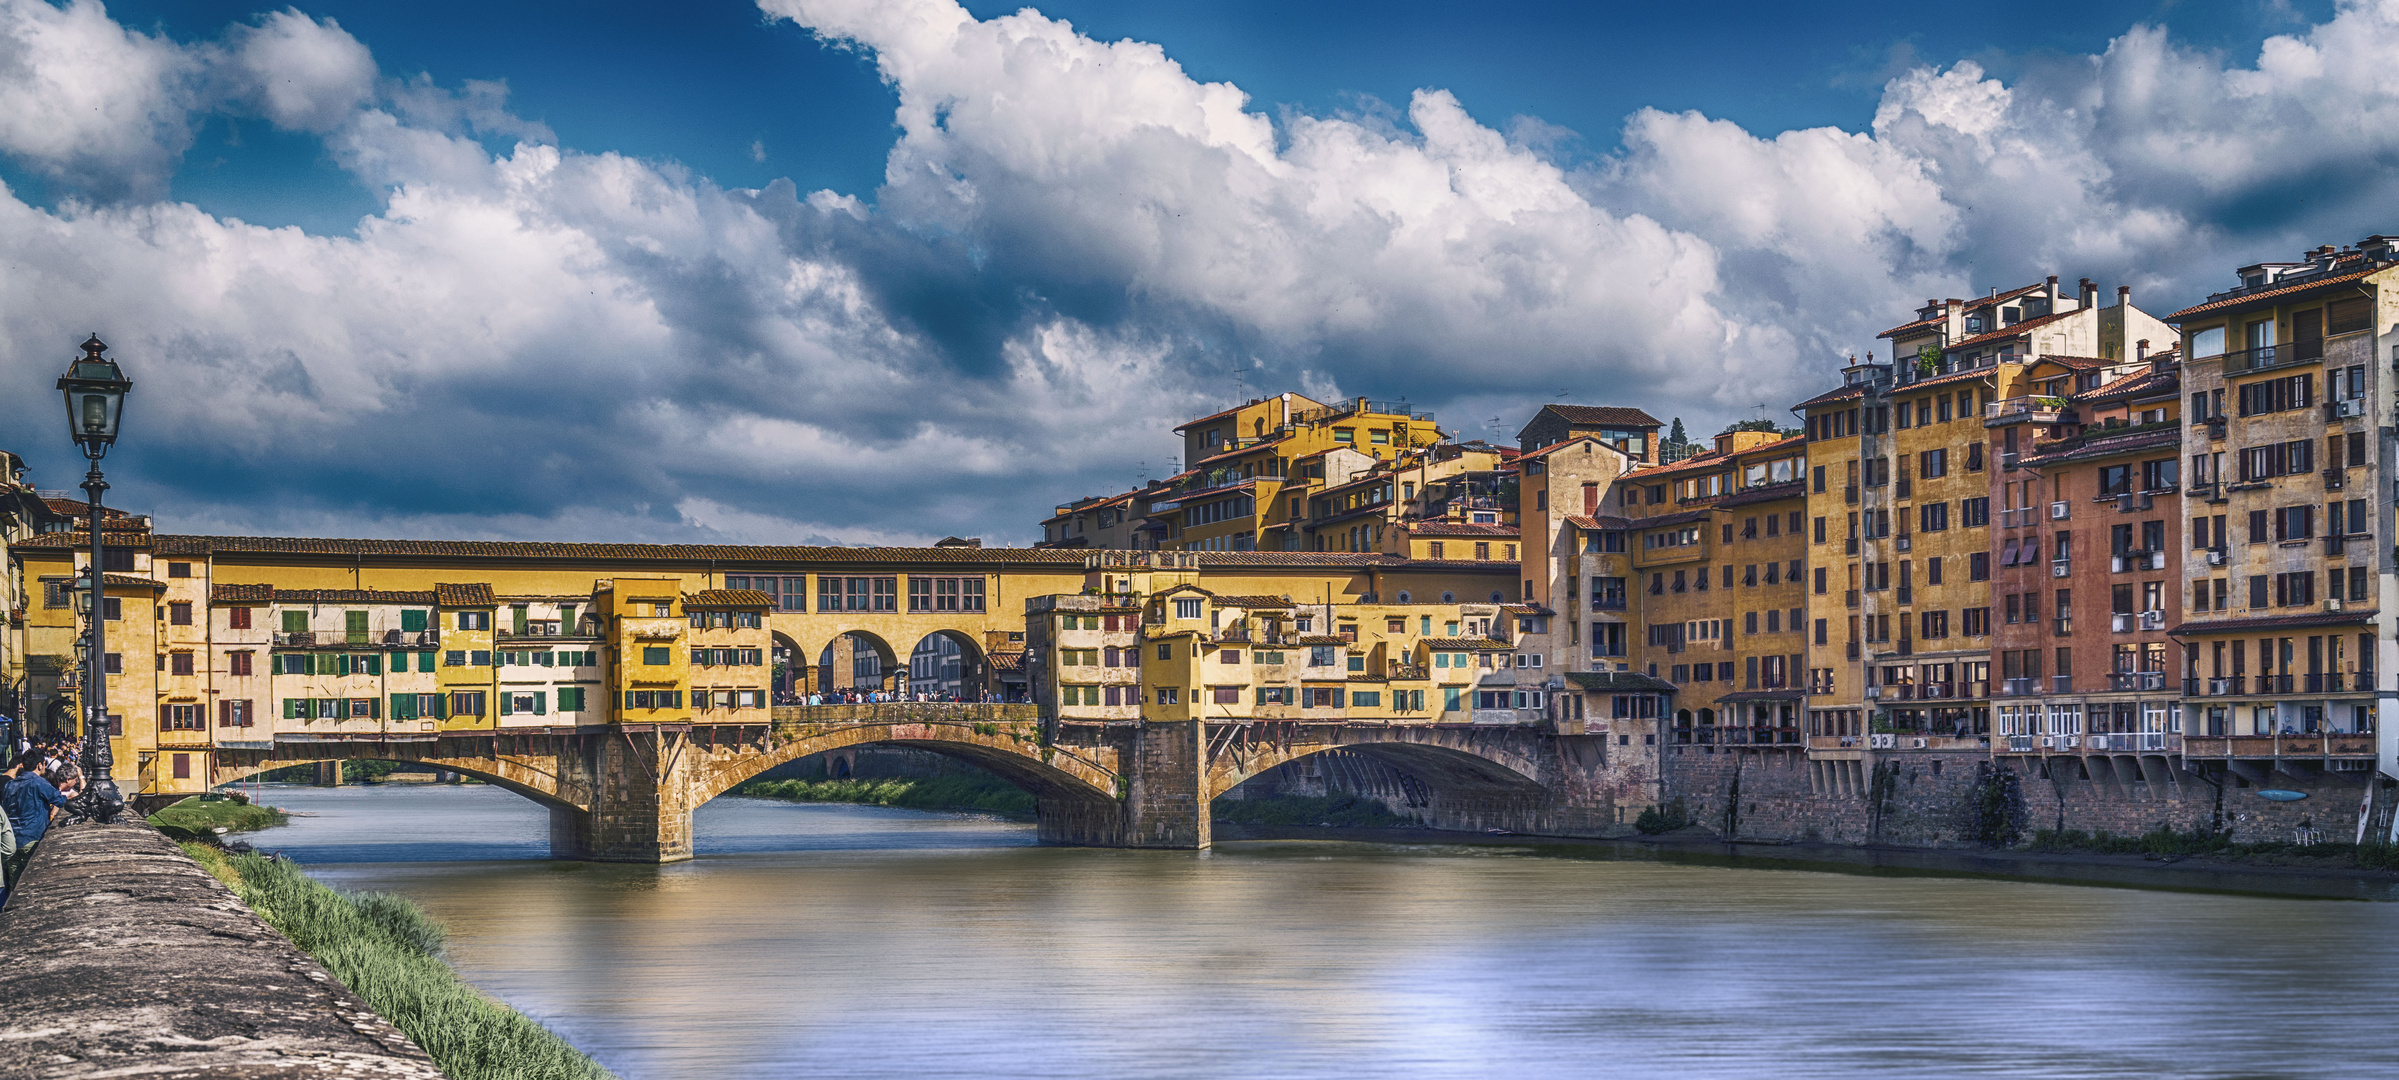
(1009, 750)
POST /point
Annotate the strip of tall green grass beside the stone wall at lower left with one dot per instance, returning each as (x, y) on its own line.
(390, 954)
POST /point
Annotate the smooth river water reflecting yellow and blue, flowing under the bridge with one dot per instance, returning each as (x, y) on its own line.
(850, 942)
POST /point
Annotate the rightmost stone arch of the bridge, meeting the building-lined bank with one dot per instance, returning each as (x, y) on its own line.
(1441, 757)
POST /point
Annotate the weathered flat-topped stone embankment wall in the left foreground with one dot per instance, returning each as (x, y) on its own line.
(128, 959)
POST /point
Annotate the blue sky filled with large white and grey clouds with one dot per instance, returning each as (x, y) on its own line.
(889, 270)
